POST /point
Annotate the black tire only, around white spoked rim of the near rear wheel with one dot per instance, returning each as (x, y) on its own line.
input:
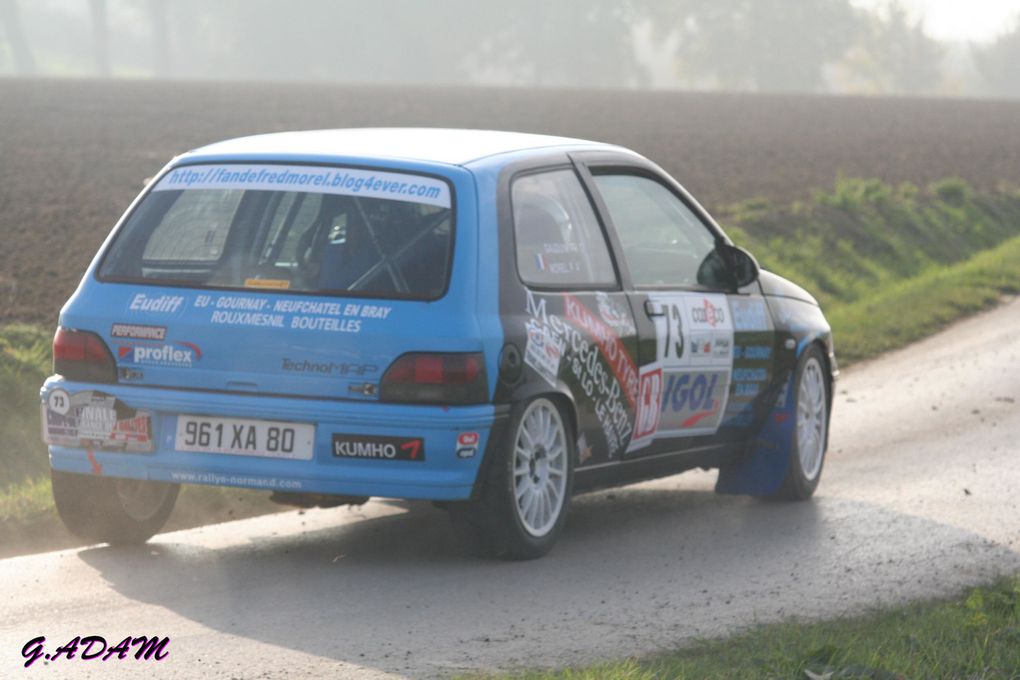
(492, 526)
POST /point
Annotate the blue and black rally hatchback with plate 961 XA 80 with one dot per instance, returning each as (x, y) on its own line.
(489, 321)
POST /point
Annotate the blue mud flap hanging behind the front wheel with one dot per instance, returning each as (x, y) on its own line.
(762, 469)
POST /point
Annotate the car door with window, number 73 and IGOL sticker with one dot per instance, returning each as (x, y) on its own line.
(705, 350)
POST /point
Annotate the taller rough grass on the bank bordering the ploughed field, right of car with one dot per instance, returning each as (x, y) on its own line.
(865, 237)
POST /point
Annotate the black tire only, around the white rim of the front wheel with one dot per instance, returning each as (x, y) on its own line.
(803, 477)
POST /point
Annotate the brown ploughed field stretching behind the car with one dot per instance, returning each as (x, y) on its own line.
(75, 153)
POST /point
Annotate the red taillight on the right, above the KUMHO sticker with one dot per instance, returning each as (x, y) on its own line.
(436, 379)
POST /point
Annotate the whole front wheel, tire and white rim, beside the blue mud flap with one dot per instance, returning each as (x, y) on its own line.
(811, 436)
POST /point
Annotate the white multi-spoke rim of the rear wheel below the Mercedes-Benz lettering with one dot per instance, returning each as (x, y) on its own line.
(540, 467)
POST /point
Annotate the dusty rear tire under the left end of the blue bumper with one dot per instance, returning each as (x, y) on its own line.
(113, 511)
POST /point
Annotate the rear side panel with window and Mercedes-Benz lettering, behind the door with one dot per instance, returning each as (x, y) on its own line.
(565, 307)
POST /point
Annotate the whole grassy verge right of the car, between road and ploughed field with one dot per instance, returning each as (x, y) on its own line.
(889, 265)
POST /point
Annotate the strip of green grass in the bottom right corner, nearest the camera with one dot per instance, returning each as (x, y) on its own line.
(977, 636)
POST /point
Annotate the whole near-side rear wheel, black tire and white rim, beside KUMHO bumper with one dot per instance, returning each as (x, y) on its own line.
(525, 500)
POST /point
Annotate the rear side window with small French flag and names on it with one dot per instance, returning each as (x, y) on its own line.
(559, 241)
